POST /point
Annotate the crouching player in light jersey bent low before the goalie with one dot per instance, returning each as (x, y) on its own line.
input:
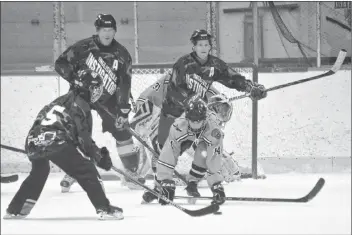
(204, 134)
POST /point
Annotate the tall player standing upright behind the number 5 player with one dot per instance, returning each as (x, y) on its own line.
(102, 56)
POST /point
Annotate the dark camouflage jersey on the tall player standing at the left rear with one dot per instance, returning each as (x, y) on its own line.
(112, 63)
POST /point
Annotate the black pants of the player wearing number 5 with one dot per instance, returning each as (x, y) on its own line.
(70, 160)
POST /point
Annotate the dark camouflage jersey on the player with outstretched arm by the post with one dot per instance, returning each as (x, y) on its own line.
(190, 77)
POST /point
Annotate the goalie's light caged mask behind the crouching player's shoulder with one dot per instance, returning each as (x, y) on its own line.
(220, 105)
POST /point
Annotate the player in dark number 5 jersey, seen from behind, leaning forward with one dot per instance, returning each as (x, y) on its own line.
(61, 134)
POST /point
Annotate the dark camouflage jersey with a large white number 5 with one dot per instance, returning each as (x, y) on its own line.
(66, 120)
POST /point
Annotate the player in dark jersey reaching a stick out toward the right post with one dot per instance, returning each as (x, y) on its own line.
(193, 74)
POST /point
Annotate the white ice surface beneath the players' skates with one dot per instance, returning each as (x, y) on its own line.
(57, 213)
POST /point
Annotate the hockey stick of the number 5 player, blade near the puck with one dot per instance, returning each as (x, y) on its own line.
(201, 212)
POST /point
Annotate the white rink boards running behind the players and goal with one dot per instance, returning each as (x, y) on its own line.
(307, 120)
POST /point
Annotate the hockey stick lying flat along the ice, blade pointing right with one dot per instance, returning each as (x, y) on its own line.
(316, 189)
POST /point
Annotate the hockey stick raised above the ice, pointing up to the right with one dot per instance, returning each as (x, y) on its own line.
(338, 63)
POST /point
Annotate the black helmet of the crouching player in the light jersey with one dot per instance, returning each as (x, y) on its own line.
(196, 109)
